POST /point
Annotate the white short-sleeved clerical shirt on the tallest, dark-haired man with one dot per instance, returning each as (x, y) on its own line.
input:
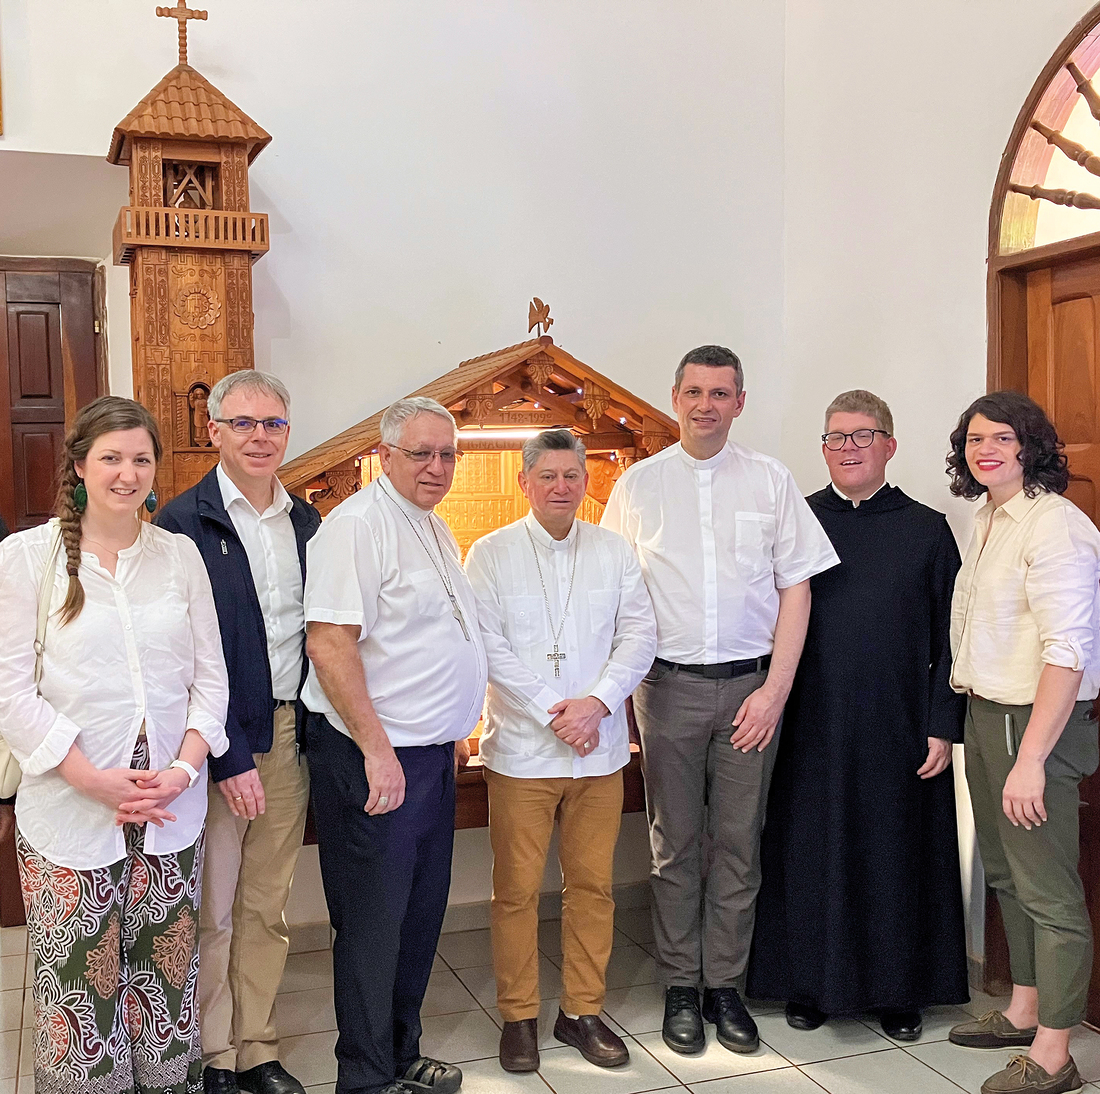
(717, 540)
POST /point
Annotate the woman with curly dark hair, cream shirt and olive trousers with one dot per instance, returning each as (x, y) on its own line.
(1025, 621)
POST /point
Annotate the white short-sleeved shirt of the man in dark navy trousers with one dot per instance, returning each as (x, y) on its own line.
(369, 567)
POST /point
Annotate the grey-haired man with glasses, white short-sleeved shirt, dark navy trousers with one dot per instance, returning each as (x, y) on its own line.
(398, 677)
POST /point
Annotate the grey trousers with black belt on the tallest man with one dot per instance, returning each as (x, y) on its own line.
(706, 802)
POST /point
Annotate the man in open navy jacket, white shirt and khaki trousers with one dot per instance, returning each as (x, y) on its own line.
(252, 536)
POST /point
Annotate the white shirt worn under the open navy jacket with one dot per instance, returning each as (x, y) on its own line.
(272, 549)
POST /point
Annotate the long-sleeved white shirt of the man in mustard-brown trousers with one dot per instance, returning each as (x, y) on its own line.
(609, 637)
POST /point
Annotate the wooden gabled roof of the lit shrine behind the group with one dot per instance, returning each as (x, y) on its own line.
(591, 397)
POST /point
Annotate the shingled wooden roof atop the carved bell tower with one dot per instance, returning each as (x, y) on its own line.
(186, 106)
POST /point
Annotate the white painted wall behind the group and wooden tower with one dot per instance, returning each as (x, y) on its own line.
(808, 182)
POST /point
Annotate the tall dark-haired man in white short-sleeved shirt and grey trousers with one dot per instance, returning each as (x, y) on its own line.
(728, 546)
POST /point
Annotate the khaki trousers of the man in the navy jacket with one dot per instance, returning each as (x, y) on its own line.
(244, 937)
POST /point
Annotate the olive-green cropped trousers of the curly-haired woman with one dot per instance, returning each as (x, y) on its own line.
(1035, 874)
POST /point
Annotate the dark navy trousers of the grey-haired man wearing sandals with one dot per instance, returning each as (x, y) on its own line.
(387, 881)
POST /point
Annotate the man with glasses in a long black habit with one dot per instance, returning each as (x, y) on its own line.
(861, 908)
